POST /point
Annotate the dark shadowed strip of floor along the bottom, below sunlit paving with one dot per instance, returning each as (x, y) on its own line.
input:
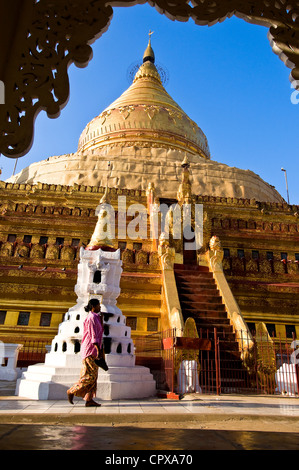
(131, 438)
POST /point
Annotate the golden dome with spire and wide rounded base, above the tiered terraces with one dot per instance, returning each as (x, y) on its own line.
(146, 135)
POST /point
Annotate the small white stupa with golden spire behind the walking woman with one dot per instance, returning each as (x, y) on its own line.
(99, 273)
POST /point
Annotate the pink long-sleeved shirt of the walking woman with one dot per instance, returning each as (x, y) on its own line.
(92, 333)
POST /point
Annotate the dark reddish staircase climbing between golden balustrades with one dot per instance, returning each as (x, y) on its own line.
(201, 300)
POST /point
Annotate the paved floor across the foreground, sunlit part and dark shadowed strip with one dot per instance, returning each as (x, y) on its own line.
(197, 422)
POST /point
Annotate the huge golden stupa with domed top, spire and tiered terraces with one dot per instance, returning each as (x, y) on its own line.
(144, 149)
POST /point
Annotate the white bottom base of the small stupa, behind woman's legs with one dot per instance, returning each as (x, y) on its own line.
(45, 382)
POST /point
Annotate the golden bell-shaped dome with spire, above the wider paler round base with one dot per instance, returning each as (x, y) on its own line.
(145, 115)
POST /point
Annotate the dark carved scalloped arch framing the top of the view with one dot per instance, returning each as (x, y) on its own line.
(41, 38)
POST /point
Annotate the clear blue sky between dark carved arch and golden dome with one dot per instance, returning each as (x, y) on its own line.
(225, 77)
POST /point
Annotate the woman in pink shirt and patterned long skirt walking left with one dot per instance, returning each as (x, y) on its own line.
(91, 346)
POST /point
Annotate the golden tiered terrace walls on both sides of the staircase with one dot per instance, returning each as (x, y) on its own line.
(39, 278)
